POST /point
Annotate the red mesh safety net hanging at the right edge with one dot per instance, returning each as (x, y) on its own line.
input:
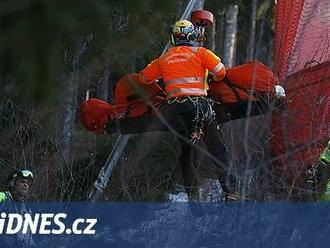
(302, 63)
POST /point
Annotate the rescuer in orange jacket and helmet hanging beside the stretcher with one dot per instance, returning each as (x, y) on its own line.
(184, 69)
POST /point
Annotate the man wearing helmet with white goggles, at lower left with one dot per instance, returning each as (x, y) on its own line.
(18, 186)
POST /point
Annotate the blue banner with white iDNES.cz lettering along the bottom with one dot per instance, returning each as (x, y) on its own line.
(165, 225)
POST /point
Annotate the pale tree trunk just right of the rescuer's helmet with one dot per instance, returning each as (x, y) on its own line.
(230, 36)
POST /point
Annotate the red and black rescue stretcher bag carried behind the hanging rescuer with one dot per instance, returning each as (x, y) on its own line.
(136, 104)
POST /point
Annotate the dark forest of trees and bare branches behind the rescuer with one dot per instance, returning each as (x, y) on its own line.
(52, 52)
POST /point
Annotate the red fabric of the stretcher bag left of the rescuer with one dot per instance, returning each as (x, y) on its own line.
(95, 113)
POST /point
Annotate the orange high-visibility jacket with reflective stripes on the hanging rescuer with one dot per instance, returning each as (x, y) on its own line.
(184, 70)
